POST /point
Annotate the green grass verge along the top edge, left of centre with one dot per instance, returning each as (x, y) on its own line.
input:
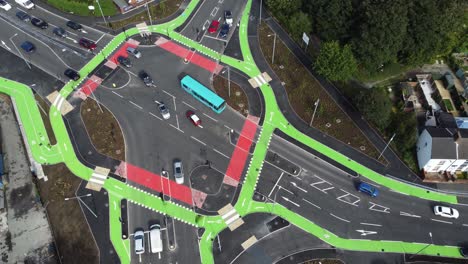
(80, 7)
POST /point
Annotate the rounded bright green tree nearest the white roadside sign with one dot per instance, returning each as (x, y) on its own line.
(336, 63)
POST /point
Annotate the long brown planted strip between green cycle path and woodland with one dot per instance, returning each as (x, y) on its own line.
(303, 91)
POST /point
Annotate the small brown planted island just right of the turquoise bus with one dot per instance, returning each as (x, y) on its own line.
(238, 100)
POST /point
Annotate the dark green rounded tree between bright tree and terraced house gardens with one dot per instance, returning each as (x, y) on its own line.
(375, 105)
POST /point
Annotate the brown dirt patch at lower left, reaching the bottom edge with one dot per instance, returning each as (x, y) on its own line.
(69, 227)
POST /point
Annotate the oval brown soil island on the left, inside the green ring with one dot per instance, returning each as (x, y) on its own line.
(103, 130)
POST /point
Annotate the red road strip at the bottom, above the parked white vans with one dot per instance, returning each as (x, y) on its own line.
(158, 183)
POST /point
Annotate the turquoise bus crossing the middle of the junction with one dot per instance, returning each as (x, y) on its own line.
(203, 94)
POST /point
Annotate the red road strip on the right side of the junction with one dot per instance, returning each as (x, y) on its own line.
(241, 152)
